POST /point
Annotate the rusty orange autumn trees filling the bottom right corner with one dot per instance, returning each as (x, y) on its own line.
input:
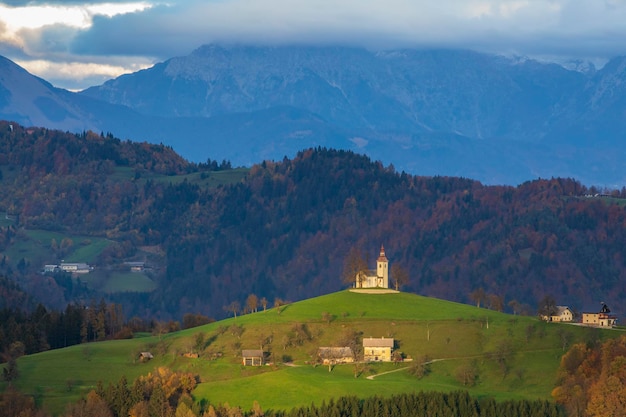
(592, 379)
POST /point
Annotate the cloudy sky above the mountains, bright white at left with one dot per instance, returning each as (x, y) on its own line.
(75, 44)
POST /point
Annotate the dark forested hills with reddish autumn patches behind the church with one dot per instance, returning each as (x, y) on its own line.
(284, 229)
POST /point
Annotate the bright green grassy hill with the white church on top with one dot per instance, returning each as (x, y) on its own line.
(516, 357)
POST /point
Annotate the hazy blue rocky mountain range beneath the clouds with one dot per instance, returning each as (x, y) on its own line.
(428, 112)
